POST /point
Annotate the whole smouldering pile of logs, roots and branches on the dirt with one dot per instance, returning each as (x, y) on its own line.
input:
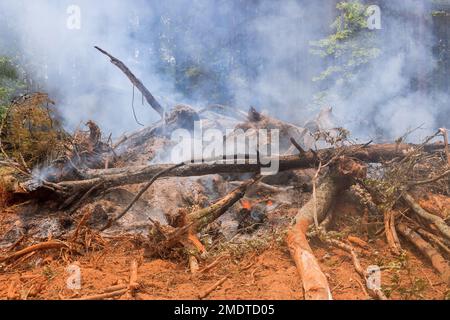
(93, 188)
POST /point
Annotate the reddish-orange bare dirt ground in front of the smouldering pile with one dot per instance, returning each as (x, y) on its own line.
(267, 272)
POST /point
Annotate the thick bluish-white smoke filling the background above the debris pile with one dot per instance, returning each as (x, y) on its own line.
(242, 52)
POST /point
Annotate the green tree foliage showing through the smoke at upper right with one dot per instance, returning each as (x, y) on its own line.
(350, 47)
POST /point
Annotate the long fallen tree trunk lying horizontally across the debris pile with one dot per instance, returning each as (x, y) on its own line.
(139, 174)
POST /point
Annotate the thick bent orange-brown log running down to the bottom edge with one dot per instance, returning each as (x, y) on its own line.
(315, 283)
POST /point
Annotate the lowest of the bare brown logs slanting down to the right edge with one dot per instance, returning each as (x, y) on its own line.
(438, 262)
